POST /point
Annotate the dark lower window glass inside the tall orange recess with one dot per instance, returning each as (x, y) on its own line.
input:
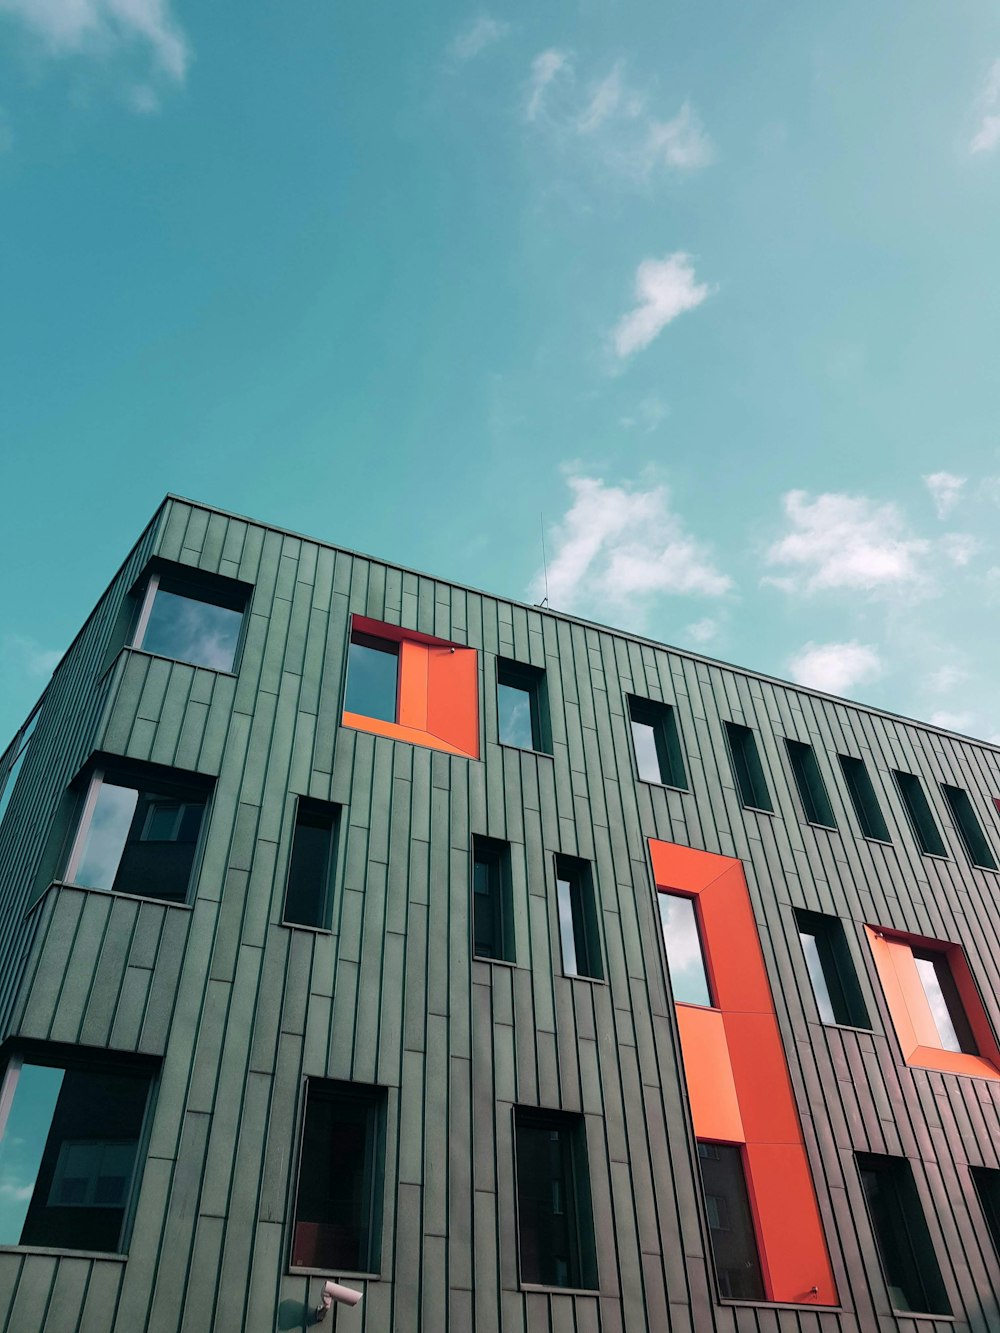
(731, 1223)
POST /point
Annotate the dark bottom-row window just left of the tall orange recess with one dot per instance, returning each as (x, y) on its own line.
(555, 1219)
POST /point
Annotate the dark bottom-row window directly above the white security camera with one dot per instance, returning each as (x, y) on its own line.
(341, 1179)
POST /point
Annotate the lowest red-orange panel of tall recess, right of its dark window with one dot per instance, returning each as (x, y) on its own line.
(789, 1222)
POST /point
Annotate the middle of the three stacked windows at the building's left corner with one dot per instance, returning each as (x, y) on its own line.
(138, 834)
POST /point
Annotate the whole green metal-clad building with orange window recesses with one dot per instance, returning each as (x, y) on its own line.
(523, 974)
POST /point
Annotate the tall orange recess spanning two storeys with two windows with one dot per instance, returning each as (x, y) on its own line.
(741, 1098)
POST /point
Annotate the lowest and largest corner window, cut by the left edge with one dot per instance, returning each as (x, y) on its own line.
(70, 1152)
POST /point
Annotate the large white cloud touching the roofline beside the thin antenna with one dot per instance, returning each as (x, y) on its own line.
(617, 545)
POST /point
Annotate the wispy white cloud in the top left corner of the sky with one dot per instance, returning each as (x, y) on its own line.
(95, 27)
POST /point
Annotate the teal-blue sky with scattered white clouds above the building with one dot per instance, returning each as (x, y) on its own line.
(705, 295)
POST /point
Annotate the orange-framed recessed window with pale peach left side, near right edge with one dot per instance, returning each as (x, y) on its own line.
(935, 1006)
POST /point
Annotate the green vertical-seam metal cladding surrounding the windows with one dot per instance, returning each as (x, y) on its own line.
(239, 1010)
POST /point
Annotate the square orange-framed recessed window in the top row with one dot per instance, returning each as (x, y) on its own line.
(413, 688)
